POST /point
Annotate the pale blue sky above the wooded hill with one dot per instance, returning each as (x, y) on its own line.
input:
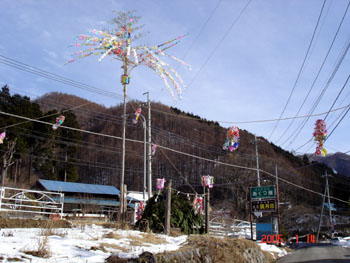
(249, 76)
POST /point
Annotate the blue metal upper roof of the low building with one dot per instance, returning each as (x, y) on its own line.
(78, 187)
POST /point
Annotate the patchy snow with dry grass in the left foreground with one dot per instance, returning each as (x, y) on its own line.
(83, 244)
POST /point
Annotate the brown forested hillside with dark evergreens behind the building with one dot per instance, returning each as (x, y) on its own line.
(41, 152)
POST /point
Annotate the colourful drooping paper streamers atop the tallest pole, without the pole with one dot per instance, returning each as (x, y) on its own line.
(104, 44)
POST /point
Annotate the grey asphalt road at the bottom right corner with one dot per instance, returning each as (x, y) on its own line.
(318, 254)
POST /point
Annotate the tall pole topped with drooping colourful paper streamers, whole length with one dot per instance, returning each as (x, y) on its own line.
(116, 43)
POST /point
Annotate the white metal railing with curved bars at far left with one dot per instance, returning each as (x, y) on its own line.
(31, 201)
